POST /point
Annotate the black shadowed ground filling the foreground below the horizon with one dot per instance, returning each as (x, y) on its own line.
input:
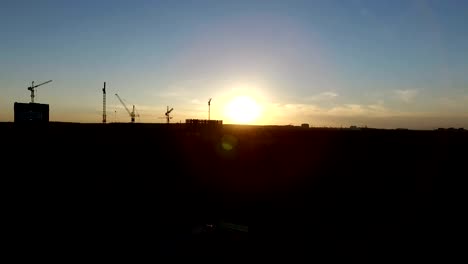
(144, 190)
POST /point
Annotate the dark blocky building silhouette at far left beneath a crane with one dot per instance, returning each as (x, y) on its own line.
(31, 113)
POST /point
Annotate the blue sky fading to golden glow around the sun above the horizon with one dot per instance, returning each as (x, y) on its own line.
(327, 63)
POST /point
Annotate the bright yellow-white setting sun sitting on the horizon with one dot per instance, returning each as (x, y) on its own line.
(243, 110)
